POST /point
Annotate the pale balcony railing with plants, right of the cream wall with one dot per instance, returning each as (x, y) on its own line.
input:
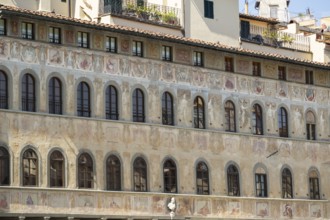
(275, 38)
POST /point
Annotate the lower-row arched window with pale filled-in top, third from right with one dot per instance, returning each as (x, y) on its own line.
(260, 180)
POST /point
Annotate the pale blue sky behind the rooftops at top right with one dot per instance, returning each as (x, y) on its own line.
(319, 8)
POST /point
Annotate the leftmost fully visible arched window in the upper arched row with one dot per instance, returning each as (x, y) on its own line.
(28, 93)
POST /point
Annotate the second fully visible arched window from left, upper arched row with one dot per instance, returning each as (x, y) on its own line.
(55, 96)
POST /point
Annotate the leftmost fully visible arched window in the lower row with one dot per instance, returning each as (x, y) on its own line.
(35, 158)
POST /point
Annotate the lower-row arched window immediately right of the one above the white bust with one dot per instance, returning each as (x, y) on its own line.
(202, 179)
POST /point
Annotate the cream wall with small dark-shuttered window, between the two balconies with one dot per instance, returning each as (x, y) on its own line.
(223, 28)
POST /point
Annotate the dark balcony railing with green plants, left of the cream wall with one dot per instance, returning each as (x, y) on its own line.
(144, 11)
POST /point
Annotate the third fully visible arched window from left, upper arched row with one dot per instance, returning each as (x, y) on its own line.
(83, 100)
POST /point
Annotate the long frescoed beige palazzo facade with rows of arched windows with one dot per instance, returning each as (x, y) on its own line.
(102, 121)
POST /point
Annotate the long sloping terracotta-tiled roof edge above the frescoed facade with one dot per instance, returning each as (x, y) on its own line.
(168, 37)
